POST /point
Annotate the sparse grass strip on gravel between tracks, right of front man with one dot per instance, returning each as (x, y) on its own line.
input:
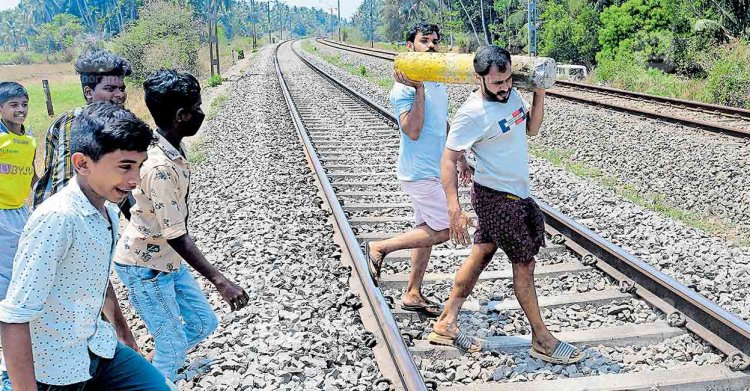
(656, 202)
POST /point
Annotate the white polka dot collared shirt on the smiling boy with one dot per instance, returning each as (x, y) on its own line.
(60, 277)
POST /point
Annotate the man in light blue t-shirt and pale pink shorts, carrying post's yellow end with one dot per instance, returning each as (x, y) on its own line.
(422, 112)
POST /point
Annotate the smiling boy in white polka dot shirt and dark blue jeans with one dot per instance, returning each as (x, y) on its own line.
(51, 324)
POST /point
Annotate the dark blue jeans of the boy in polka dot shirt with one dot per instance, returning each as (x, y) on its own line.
(127, 370)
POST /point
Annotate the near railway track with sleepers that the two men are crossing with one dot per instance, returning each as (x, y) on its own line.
(593, 293)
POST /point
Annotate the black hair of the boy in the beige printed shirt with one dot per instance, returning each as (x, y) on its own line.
(166, 91)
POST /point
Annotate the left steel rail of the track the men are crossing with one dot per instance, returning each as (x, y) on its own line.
(409, 375)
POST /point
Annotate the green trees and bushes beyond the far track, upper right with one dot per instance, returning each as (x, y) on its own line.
(693, 49)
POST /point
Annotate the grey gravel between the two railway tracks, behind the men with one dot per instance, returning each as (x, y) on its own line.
(655, 157)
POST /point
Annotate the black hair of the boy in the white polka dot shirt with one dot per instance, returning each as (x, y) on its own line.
(98, 136)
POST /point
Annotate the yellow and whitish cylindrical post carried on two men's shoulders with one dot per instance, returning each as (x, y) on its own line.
(454, 68)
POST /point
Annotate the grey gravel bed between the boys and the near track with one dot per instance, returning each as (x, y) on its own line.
(253, 214)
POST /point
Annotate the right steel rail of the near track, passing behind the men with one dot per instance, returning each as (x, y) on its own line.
(723, 330)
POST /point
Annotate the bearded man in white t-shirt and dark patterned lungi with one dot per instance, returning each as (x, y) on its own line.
(493, 123)
